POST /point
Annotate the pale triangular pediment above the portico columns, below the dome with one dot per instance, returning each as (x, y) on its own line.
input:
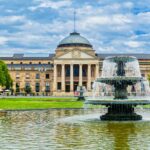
(76, 54)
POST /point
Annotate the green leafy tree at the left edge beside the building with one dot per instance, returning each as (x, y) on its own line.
(5, 79)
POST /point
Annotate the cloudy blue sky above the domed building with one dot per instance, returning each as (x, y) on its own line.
(37, 26)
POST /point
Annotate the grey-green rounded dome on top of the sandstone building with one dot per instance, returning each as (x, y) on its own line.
(74, 39)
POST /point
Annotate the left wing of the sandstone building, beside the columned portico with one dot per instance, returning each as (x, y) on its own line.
(33, 72)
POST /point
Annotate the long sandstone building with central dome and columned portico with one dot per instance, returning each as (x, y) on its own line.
(74, 64)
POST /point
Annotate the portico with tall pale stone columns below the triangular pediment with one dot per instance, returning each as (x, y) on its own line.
(69, 76)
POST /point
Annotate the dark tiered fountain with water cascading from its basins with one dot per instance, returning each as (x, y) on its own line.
(120, 88)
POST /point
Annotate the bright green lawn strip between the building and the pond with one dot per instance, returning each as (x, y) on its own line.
(39, 103)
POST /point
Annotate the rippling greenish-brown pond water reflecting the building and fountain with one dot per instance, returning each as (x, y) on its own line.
(71, 129)
